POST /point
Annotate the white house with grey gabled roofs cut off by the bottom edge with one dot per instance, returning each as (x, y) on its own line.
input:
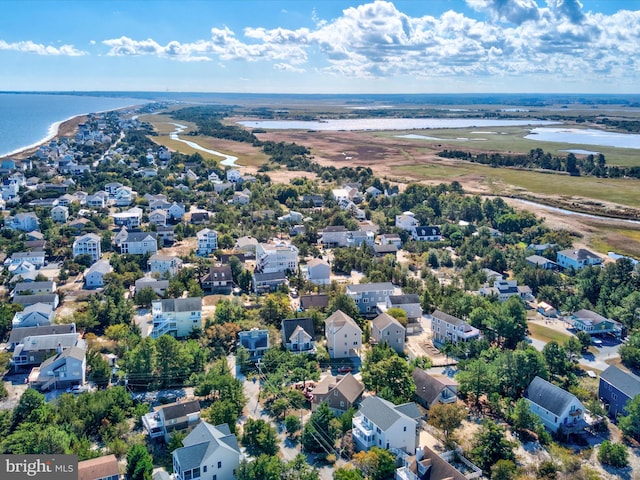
(209, 452)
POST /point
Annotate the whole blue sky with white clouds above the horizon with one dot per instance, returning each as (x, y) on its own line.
(322, 46)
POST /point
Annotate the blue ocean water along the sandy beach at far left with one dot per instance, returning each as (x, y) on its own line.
(28, 119)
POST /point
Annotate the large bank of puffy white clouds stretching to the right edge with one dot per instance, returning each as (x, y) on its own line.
(509, 38)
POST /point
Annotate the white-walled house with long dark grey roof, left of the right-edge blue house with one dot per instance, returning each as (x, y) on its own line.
(557, 408)
